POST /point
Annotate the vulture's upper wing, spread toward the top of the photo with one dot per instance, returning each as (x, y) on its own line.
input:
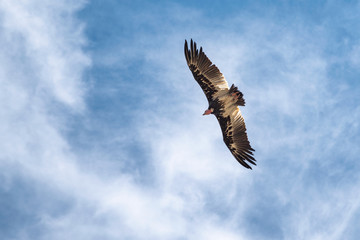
(210, 79)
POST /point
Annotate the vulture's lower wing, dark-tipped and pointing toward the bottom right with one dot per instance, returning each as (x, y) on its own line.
(235, 136)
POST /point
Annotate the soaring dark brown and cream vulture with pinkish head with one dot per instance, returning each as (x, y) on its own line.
(223, 103)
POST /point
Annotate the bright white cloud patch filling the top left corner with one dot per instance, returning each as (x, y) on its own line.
(49, 39)
